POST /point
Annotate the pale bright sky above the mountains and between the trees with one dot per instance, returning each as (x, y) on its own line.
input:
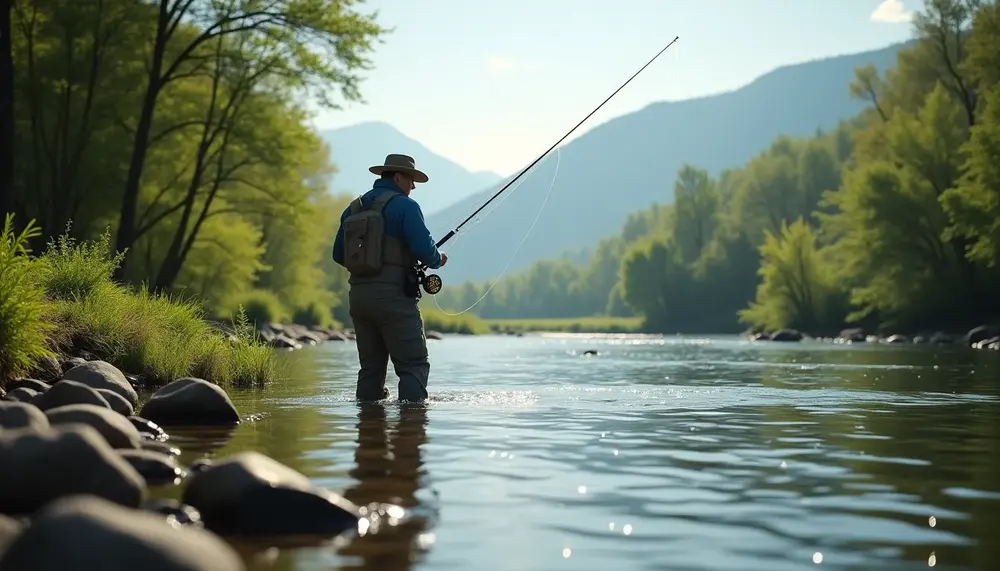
(491, 84)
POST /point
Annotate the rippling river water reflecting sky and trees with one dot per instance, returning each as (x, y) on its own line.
(655, 453)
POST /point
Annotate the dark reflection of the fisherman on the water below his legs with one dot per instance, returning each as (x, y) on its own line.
(388, 469)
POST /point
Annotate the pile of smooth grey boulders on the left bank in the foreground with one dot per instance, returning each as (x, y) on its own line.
(79, 453)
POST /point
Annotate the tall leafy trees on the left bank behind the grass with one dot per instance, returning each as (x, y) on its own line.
(222, 179)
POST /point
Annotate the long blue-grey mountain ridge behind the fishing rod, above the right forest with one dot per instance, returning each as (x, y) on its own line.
(629, 162)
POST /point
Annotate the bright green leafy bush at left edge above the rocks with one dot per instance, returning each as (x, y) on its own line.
(24, 312)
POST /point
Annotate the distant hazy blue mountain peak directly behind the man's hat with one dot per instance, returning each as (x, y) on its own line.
(355, 148)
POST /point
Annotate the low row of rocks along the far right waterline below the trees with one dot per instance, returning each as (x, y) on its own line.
(982, 337)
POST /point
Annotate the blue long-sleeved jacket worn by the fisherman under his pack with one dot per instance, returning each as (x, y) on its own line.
(403, 220)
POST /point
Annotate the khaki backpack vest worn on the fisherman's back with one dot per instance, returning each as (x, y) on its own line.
(367, 248)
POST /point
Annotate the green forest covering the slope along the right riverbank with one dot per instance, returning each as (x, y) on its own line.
(891, 221)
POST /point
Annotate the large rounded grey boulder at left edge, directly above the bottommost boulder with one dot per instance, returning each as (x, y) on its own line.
(62, 461)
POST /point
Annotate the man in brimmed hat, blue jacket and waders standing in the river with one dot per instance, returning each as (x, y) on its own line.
(381, 239)
